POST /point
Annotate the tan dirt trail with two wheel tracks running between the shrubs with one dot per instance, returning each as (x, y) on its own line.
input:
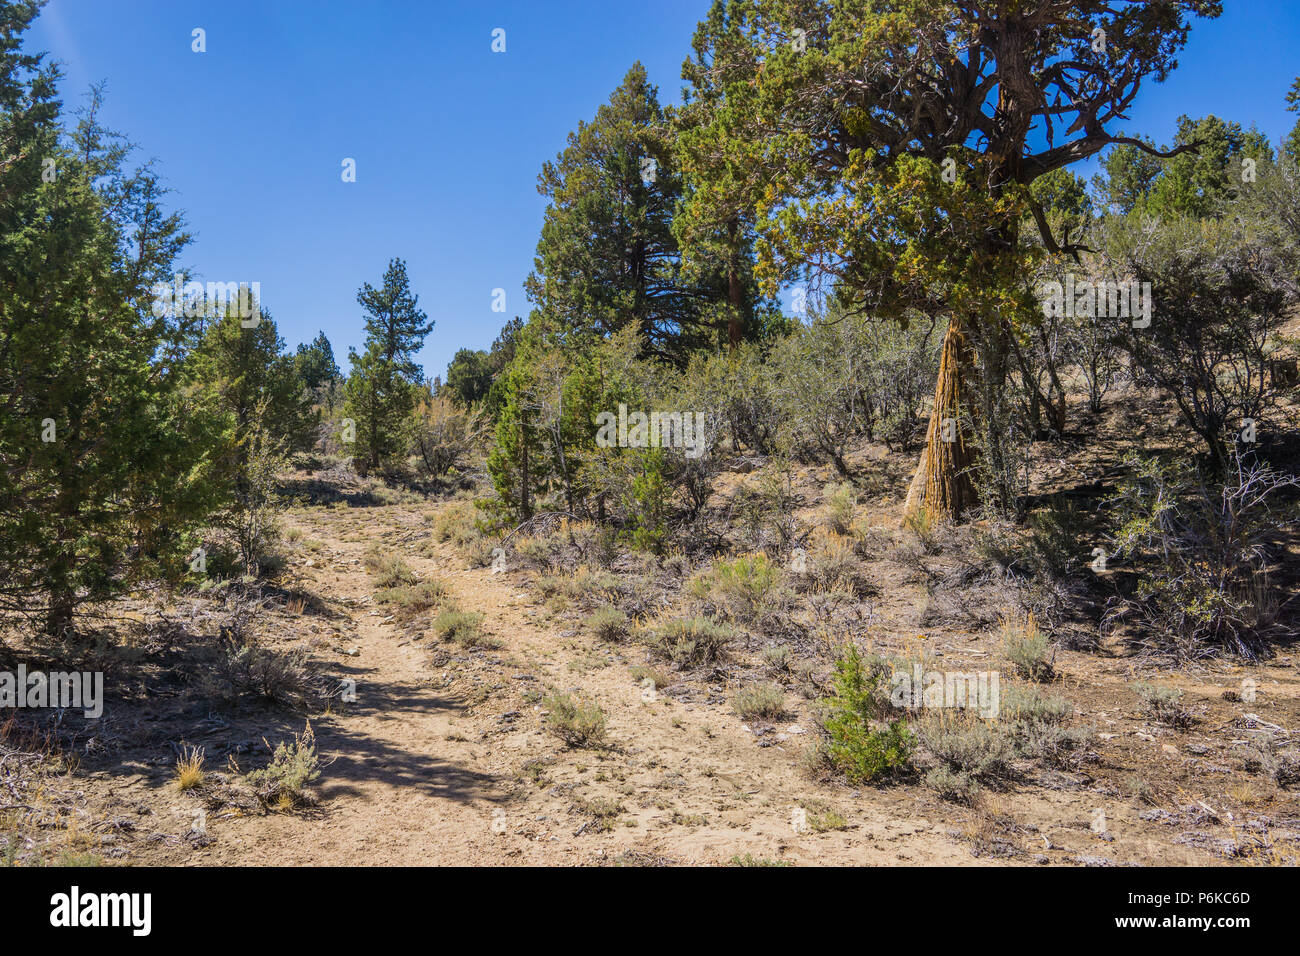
(445, 760)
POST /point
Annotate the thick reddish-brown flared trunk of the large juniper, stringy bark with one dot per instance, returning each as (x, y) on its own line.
(943, 485)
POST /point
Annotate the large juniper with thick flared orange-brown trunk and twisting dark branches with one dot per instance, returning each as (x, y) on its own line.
(834, 124)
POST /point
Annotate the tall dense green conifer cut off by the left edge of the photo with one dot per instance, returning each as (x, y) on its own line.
(106, 462)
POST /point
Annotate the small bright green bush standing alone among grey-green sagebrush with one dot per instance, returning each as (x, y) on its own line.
(860, 743)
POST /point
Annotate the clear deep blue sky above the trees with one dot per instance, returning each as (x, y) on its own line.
(448, 136)
